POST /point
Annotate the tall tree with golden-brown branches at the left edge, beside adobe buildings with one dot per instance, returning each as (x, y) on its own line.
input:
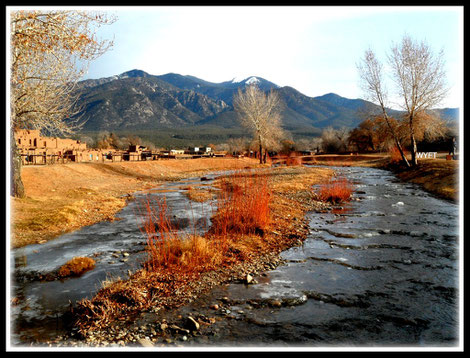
(49, 53)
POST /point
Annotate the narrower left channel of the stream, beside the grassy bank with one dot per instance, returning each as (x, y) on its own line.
(118, 248)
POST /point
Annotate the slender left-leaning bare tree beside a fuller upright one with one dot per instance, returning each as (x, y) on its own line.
(372, 83)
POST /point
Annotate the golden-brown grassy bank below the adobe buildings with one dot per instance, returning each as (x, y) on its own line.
(65, 197)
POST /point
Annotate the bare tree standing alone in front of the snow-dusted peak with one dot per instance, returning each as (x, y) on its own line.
(260, 113)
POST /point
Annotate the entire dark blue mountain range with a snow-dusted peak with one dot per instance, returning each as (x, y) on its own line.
(136, 101)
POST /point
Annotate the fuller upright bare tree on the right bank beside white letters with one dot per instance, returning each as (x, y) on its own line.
(420, 78)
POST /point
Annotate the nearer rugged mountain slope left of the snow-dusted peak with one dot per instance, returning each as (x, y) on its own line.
(136, 100)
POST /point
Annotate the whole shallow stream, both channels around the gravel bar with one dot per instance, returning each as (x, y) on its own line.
(382, 271)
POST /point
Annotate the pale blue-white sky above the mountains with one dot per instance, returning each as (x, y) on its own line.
(313, 49)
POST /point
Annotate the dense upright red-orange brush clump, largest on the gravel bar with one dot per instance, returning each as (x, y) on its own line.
(243, 205)
